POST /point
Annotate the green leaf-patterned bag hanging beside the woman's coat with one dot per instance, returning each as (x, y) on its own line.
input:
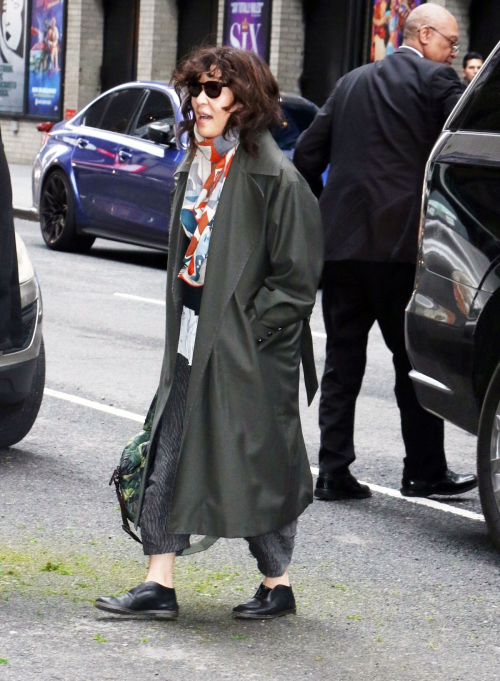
(127, 476)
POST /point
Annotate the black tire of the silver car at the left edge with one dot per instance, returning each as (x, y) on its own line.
(16, 420)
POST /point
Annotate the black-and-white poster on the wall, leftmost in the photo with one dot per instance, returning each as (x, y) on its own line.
(12, 55)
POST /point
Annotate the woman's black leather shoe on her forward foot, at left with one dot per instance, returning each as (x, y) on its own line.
(147, 601)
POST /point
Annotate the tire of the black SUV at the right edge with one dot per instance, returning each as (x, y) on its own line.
(488, 458)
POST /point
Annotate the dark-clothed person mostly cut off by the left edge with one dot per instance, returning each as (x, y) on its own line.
(10, 300)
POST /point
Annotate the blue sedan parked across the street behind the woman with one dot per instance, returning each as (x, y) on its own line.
(109, 171)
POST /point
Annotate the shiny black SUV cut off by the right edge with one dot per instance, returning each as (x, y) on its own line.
(453, 319)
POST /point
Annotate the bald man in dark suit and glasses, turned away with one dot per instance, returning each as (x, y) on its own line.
(376, 131)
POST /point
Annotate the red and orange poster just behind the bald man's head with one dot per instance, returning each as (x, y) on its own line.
(388, 20)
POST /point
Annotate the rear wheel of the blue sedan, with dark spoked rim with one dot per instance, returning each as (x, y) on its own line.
(57, 216)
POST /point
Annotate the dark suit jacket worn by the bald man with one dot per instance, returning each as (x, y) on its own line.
(376, 131)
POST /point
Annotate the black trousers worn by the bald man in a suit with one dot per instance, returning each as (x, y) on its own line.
(355, 295)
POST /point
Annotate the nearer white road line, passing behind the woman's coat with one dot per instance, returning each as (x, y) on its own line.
(375, 488)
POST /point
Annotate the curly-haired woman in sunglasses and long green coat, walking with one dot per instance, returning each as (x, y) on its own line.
(227, 456)
